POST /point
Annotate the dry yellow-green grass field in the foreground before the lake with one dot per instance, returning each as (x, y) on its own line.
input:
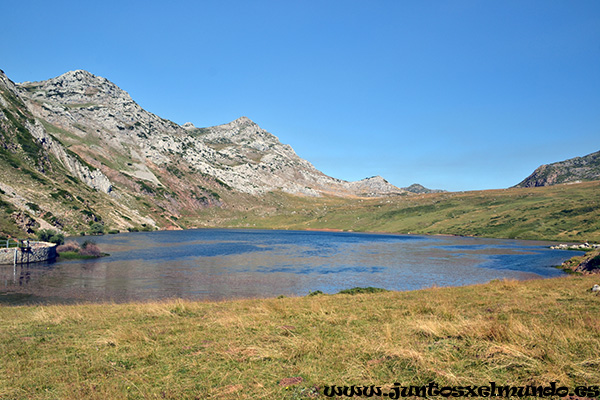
(518, 333)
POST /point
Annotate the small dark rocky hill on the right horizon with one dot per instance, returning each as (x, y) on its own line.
(586, 168)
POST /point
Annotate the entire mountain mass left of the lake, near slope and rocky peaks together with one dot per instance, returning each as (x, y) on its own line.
(80, 151)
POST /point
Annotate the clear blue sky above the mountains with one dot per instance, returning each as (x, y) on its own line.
(458, 95)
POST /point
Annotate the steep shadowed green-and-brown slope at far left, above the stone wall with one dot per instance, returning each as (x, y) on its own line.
(43, 184)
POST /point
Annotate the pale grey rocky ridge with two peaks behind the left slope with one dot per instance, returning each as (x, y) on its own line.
(105, 124)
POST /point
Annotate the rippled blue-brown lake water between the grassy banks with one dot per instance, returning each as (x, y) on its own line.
(223, 264)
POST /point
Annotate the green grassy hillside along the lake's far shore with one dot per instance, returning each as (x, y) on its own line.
(563, 212)
